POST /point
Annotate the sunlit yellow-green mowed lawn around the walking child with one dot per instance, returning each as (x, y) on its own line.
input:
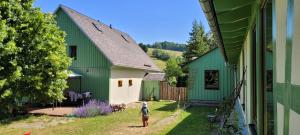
(96, 125)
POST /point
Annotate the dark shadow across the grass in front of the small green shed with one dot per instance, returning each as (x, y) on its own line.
(196, 123)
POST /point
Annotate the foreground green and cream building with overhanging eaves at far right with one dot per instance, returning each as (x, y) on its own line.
(251, 34)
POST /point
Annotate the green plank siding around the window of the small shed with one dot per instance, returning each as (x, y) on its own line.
(211, 61)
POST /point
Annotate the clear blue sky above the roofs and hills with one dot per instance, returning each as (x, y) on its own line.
(147, 21)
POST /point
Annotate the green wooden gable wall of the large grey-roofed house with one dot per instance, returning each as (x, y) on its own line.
(90, 62)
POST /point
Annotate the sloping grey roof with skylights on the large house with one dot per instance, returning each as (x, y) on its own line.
(118, 47)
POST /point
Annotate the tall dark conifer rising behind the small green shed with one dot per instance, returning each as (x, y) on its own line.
(198, 43)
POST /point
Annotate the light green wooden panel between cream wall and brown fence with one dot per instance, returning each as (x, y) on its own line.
(150, 89)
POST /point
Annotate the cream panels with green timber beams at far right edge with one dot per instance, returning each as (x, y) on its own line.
(286, 39)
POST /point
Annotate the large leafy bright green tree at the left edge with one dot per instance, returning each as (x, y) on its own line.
(33, 59)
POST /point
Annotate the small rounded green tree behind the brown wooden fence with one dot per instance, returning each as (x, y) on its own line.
(173, 71)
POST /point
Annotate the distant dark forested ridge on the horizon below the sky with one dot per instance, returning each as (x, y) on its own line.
(167, 46)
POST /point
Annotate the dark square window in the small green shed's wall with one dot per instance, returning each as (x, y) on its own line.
(211, 78)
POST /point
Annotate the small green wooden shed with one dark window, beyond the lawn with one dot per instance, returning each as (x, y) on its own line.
(210, 79)
